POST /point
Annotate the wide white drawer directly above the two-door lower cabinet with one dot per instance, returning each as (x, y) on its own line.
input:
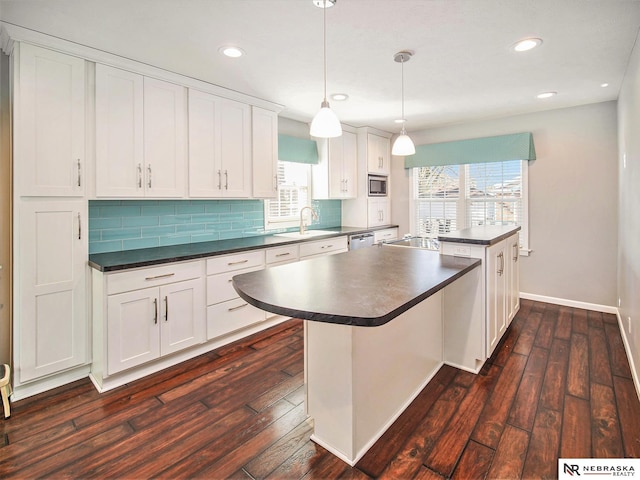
(153, 276)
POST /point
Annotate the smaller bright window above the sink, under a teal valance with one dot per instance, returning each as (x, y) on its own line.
(293, 194)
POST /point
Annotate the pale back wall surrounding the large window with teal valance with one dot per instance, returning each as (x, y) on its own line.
(572, 198)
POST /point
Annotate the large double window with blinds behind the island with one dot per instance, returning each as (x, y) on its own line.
(452, 197)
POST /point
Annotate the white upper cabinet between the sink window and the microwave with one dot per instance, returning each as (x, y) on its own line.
(335, 176)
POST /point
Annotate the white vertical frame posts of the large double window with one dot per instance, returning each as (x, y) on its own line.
(461, 211)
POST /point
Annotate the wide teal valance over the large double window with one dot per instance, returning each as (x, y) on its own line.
(516, 146)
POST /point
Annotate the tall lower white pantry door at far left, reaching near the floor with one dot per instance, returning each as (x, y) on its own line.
(51, 322)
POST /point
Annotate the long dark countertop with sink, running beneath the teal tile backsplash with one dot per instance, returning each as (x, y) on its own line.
(145, 257)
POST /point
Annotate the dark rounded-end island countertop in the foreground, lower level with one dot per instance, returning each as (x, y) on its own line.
(366, 287)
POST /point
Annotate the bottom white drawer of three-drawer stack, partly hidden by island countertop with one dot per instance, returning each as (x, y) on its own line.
(227, 317)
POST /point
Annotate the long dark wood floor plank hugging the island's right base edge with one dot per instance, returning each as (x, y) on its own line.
(384, 450)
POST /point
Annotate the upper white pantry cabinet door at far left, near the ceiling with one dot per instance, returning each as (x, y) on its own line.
(49, 123)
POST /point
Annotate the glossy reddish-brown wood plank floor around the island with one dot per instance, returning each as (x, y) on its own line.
(559, 384)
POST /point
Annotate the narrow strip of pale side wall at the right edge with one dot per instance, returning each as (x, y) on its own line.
(629, 209)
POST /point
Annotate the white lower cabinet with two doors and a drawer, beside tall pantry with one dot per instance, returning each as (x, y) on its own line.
(144, 324)
